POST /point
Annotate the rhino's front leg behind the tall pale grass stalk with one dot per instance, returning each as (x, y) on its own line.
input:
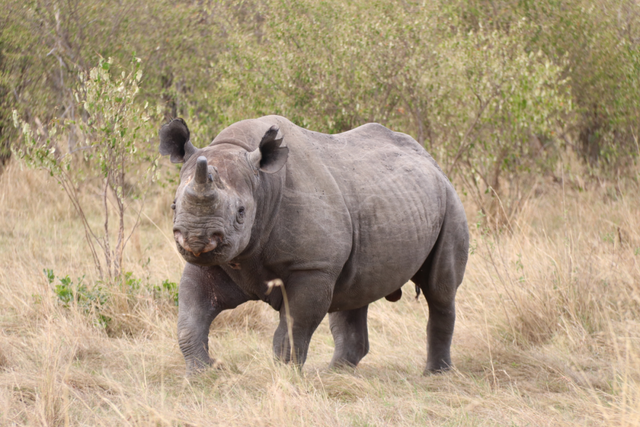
(309, 296)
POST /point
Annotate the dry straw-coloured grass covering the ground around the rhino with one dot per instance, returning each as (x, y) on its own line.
(547, 331)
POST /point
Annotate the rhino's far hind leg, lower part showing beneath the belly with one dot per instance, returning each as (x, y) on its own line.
(351, 337)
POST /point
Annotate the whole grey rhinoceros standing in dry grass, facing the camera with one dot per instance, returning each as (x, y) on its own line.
(342, 220)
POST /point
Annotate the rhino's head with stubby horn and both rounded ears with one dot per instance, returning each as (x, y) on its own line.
(219, 193)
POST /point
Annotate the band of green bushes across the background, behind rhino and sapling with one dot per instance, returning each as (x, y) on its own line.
(496, 91)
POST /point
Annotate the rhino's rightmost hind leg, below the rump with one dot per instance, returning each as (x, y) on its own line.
(439, 278)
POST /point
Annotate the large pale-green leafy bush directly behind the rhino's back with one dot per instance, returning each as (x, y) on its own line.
(485, 105)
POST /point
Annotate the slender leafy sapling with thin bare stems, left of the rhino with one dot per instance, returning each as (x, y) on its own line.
(111, 141)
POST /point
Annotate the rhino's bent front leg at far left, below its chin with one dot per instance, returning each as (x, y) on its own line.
(204, 292)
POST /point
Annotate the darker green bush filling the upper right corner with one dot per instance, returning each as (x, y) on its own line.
(596, 44)
